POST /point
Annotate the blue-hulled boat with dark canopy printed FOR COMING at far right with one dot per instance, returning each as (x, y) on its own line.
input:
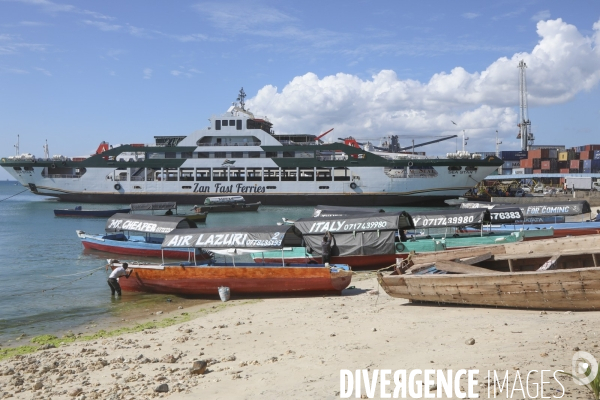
(550, 215)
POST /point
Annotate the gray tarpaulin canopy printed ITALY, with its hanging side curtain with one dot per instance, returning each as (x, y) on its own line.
(360, 234)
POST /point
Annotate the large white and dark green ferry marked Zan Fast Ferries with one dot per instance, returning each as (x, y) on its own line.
(239, 154)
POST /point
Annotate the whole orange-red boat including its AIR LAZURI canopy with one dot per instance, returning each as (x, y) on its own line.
(204, 278)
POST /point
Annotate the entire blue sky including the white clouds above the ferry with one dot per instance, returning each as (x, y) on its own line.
(77, 73)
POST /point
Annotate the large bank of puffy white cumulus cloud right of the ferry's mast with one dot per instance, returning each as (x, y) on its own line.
(562, 64)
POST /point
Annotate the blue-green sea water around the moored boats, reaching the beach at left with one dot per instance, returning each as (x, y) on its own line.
(49, 284)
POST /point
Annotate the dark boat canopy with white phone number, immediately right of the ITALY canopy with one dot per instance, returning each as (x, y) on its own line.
(450, 218)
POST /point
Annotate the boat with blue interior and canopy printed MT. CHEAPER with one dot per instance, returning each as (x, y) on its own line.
(138, 235)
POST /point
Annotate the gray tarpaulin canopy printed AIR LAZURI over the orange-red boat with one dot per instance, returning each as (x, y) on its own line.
(235, 239)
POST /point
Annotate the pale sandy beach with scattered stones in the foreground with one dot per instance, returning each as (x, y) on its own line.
(296, 347)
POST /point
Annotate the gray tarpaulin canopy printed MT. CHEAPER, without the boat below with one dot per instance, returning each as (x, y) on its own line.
(146, 223)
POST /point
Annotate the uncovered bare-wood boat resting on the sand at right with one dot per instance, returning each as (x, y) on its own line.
(552, 274)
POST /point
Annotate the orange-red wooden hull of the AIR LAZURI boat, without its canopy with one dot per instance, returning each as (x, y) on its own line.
(205, 280)
